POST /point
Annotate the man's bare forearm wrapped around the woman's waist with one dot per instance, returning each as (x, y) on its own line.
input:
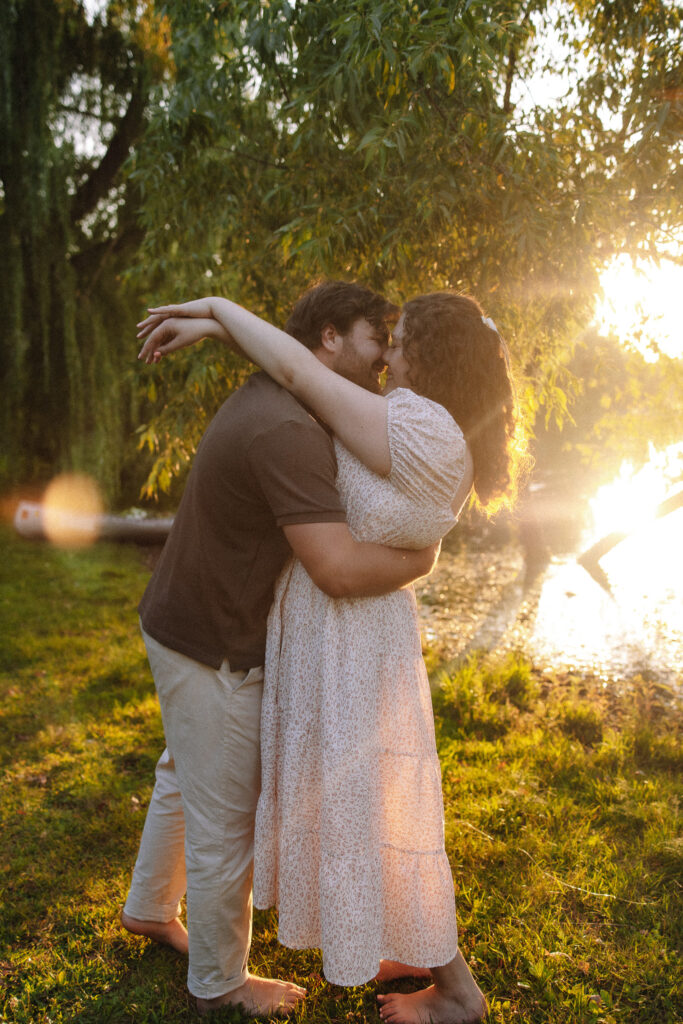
(345, 568)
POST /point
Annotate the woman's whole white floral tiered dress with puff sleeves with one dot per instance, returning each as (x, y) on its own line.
(350, 827)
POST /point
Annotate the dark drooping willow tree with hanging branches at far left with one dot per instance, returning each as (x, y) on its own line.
(73, 102)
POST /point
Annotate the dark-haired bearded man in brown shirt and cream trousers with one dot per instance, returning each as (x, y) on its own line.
(263, 486)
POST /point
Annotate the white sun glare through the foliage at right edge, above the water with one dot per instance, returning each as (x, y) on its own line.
(642, 305)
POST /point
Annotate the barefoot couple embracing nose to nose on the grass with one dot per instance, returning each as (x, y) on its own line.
(283, 636)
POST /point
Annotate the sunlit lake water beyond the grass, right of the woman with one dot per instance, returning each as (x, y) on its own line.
(566, 620)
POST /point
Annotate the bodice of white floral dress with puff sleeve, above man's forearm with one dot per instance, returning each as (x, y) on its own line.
(411, 507)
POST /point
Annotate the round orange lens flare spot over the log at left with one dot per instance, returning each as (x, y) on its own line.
(72, 511)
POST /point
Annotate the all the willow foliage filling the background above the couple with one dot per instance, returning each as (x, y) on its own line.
(411, 145)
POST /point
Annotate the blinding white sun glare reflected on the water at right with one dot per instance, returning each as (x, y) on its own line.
(635, 624)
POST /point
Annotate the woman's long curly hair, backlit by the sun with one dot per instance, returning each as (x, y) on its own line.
(457, 360)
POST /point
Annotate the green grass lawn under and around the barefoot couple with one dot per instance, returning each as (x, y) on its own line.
(562, 802)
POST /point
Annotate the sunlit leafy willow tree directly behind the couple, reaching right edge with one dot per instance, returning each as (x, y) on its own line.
(399, 142)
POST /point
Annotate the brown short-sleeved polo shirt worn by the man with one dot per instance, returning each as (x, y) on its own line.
(264, 462)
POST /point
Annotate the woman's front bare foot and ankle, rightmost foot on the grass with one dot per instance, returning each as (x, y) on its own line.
(454, 999)
